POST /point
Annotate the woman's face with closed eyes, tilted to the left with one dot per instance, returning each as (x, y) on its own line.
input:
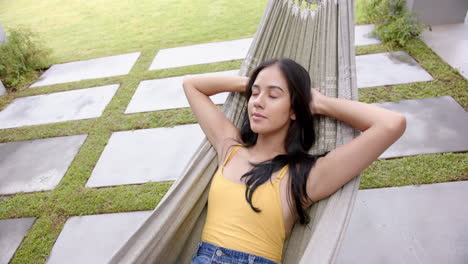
(269, 106)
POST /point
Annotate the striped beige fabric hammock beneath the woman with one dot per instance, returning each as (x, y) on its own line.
(320, 36)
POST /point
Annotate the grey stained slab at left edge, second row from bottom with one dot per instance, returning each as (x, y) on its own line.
(36, 165)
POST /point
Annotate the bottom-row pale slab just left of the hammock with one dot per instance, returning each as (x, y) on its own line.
(94, 239)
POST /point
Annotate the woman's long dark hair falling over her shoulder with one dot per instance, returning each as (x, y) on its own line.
(300, 138)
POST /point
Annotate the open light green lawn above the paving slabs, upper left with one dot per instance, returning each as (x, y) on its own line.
(79, 29)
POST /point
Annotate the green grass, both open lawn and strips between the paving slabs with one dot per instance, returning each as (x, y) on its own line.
(81, 32)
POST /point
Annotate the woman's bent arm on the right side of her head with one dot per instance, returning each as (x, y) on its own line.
(380, 129)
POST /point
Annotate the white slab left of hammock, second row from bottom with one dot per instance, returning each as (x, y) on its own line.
(139, 156)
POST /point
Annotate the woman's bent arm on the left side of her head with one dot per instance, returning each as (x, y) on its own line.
(213, 122)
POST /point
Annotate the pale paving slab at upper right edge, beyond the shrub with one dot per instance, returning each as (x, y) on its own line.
(450, 42)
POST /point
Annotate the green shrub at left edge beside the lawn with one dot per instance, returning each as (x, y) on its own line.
(21, 57)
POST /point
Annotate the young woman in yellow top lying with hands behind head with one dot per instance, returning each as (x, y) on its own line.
(266, 178)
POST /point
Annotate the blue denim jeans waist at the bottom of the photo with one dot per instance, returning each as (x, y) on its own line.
(208, 253)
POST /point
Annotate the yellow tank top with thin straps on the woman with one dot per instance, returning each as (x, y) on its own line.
(231, 222)
